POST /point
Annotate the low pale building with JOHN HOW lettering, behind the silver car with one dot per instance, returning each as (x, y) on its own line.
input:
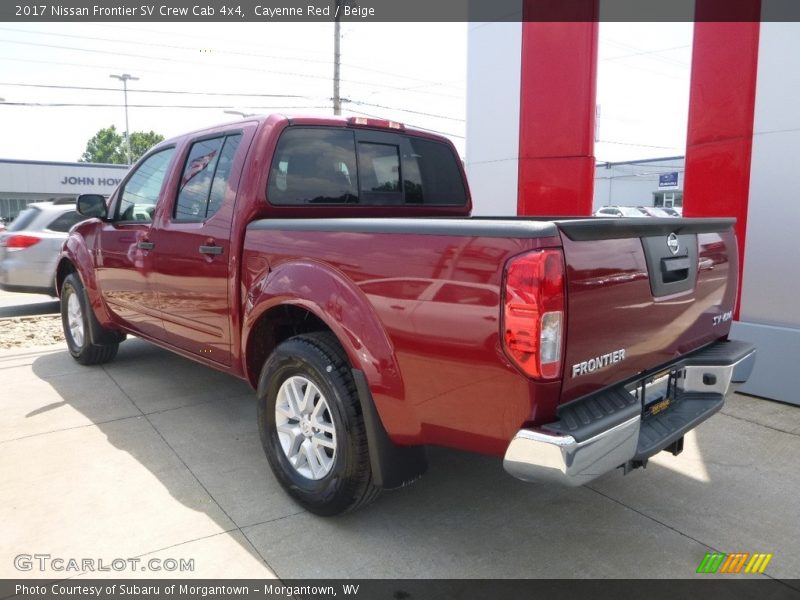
(26, 181)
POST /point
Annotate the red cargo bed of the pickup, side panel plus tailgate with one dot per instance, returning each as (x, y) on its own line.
(434, 287)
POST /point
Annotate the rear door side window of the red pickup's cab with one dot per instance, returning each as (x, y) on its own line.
(205, 178)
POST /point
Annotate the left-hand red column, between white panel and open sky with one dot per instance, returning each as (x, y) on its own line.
(557, 109)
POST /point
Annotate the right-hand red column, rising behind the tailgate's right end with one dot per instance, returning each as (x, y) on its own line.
(721, 104)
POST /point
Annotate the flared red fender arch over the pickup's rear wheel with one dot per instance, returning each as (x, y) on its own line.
(332, 297)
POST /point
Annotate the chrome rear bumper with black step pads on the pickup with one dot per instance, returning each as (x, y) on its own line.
(600, 433)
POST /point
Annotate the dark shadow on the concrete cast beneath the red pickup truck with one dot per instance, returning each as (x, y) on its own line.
(465, 518)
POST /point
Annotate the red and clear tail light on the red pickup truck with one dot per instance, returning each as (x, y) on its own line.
(533, 323)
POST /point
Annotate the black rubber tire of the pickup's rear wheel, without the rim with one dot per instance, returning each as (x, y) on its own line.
(348, 485)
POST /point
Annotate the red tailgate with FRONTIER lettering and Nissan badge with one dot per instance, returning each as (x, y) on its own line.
(642, 292)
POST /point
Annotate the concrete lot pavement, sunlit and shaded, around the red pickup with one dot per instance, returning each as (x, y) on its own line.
(156, 456)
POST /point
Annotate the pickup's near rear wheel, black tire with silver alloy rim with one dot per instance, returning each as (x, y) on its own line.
(311, 426)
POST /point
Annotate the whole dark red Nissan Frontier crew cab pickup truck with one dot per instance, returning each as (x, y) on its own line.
(333, 264)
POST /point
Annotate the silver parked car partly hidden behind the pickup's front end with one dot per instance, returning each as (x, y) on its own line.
(29, 247)
